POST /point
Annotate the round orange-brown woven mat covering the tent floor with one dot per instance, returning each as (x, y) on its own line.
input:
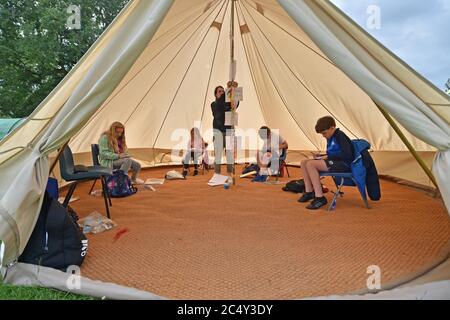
(254, 241)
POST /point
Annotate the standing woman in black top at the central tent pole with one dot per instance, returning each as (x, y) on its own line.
(218, 108)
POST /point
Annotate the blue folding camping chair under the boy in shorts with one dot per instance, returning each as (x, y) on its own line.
(355, 178)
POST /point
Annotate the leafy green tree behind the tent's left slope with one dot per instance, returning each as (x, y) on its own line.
(37, 49)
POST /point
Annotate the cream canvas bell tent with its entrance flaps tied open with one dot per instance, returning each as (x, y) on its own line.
(155, 69)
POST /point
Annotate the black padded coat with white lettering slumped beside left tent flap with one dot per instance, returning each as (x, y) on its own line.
(57, 241)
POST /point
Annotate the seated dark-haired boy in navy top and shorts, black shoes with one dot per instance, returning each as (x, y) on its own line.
(338, 159)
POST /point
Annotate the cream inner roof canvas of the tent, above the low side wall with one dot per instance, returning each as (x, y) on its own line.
(288, 82)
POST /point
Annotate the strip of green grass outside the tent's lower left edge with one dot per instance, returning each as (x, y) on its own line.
(8, 292)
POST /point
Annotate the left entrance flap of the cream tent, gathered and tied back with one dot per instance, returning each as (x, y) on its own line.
(24, 176)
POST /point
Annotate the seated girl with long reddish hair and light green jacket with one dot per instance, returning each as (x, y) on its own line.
(114, 152)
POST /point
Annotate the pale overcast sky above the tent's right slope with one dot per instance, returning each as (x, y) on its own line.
(418, 31)
